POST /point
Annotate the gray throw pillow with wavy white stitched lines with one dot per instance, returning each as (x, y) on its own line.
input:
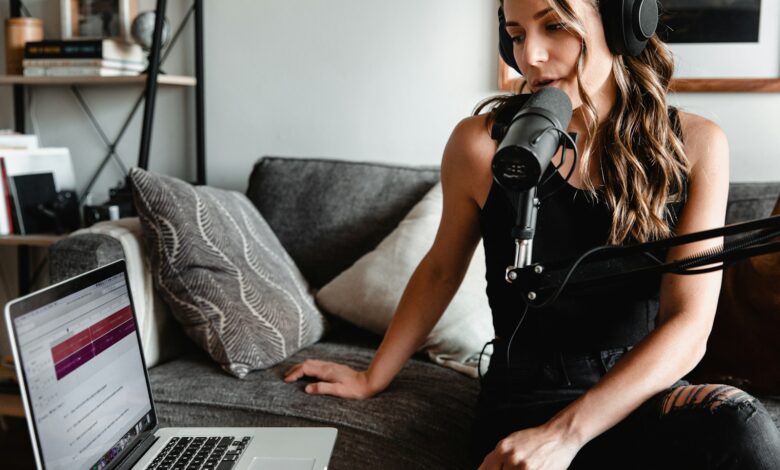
(224, 274)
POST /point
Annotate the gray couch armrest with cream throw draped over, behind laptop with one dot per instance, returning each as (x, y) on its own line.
(161, 336)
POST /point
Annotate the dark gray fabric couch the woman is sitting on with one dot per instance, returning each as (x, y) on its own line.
(327, 214)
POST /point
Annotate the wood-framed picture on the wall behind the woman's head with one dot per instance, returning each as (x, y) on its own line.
(701, 34)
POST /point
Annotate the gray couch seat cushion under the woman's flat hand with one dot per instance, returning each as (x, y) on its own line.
(422, 420)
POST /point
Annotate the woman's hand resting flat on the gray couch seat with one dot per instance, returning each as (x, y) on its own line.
(335, 379)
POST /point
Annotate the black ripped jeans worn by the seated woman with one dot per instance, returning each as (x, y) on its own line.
(691, 427)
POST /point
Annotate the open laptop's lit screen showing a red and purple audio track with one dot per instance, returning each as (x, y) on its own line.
(84, 374)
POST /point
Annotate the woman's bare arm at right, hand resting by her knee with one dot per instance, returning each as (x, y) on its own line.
(687, 310)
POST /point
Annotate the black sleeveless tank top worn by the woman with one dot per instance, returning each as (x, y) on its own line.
(569, 222)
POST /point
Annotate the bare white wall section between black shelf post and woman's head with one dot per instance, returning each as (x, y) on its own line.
(378, 81)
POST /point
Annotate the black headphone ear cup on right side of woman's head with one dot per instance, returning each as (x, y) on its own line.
(628, 24)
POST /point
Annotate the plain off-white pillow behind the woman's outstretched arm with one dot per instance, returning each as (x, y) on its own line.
(368, 292)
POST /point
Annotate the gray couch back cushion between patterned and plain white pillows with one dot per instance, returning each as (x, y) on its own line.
(329, 213)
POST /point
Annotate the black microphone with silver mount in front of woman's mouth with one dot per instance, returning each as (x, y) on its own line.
(532, 139)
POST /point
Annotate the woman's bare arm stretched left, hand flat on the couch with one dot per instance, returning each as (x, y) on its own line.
(434, 282)
